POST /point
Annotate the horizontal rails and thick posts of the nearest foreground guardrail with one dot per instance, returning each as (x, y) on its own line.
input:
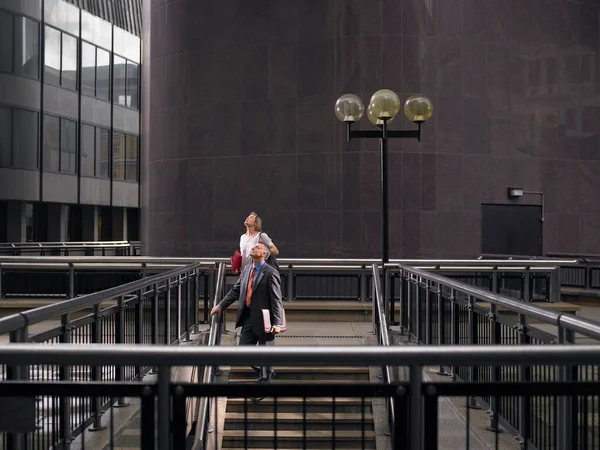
(415, 401)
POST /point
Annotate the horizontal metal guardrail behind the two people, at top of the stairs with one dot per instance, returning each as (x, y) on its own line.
(302, 279)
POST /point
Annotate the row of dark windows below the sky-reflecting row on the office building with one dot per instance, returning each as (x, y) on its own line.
(19, 146)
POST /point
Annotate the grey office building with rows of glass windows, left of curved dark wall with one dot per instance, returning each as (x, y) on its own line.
(69, 120)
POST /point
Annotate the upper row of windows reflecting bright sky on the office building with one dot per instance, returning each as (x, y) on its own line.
(20, 55)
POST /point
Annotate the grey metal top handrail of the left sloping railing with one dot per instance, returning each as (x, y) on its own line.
(30, 317)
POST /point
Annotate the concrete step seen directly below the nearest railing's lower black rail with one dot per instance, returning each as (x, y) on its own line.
(314, 405)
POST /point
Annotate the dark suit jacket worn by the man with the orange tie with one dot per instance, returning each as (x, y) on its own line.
(266, 294)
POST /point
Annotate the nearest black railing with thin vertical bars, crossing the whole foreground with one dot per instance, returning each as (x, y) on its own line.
(419, 423)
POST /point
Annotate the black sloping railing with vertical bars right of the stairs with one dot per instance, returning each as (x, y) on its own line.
(435, 310)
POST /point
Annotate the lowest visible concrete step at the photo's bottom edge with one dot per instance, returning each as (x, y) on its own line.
(296, 438)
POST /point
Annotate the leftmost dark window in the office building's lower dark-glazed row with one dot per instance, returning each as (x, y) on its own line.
(19, 138)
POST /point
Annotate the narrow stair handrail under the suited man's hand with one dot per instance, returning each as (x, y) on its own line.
(203, 413)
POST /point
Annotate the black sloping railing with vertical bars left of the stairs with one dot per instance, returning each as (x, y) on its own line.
(157, 310)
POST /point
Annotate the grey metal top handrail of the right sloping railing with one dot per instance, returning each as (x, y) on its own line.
(577, 324)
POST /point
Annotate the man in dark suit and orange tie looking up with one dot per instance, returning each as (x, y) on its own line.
(257, 288)
